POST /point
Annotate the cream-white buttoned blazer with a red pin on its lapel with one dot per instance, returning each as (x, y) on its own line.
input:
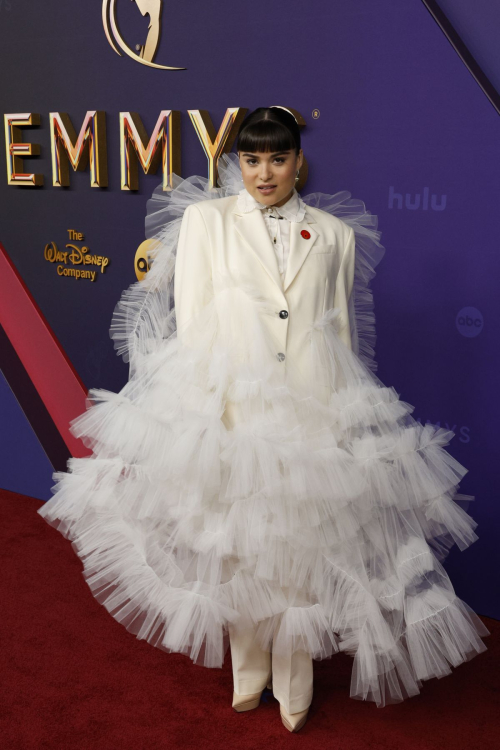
(220, 248)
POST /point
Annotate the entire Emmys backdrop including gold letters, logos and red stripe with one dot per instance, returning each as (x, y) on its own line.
(104, 101)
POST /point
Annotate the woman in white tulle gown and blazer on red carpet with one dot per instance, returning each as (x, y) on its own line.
(254, 484)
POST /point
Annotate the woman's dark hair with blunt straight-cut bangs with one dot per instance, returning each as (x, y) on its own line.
(269, 129)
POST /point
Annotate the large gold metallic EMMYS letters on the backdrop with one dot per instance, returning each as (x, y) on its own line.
(89, 146)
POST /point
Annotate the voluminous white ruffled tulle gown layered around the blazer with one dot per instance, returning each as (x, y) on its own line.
(325, 524)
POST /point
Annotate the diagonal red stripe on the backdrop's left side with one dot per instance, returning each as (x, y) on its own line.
(43, 357)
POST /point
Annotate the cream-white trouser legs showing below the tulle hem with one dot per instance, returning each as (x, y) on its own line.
(253, 667)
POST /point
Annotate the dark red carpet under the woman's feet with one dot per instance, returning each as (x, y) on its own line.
(74, 678)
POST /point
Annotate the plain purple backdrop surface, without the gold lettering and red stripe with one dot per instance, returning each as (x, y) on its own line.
(400, 118)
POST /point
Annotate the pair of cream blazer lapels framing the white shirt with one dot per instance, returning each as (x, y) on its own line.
(253, 231)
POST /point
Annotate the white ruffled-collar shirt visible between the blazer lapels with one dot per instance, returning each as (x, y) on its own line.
(279, 228)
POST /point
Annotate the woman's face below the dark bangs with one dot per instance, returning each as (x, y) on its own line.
(276, 171)
